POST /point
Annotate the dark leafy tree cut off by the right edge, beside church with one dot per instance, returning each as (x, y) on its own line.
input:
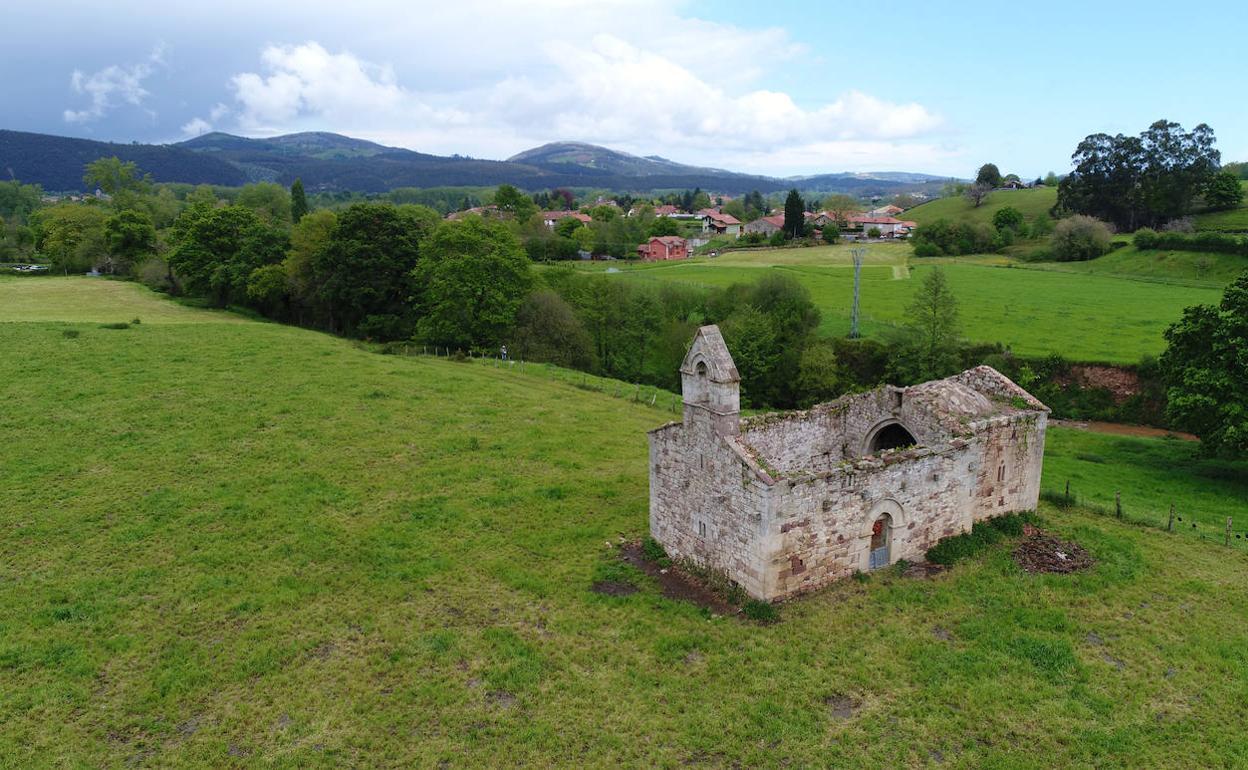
(1206, 373)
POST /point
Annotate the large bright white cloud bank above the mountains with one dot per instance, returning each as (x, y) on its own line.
(660, 83)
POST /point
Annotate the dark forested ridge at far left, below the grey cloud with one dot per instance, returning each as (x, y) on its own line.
(57, 163)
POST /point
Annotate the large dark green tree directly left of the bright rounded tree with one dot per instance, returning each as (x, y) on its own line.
(365, 273)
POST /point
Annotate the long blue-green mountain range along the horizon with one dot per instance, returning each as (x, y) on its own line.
(335, 163)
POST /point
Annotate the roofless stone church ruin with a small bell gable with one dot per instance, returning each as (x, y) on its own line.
(789, 502)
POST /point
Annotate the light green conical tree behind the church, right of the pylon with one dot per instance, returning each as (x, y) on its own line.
(929, 349)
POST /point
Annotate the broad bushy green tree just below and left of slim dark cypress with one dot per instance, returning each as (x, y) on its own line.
(219, 249)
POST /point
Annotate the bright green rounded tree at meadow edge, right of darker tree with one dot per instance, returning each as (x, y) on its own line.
(472, 279)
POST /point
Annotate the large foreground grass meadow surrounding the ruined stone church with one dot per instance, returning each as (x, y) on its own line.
(251, 545)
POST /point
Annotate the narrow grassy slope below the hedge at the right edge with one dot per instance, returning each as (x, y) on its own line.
(1163, 265)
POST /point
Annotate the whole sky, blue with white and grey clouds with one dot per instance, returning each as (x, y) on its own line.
(778, 88)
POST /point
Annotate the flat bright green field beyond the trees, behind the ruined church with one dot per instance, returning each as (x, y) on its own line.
(1085, 318)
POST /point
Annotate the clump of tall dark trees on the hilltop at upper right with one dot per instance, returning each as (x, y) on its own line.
(1140, 182)
